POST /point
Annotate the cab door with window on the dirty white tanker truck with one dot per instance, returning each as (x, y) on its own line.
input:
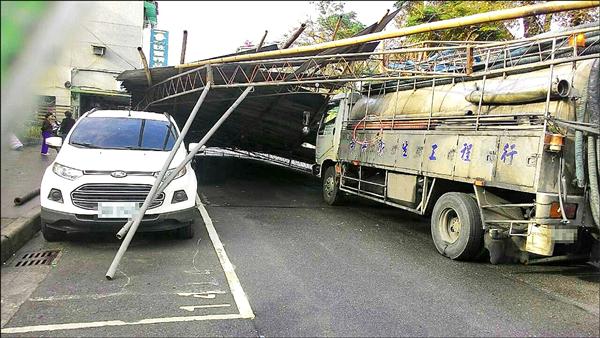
(327, 131)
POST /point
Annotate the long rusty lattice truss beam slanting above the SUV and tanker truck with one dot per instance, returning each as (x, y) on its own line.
(335, 71)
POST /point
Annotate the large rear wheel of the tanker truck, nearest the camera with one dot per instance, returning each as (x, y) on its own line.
(456, 226)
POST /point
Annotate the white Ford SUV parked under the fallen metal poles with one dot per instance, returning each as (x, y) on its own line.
(105, 169)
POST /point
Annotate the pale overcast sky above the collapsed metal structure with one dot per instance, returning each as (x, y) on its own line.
(219, 27)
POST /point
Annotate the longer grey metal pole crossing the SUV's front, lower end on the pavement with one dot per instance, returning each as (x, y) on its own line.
(137, 219)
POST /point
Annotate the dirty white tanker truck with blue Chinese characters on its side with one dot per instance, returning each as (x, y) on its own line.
(504, 159)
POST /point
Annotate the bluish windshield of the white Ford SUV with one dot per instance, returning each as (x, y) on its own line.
(124, 133)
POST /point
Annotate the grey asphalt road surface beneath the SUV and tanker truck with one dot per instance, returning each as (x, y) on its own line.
(307, 269)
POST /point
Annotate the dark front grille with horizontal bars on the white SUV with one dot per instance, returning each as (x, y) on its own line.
(88, 195)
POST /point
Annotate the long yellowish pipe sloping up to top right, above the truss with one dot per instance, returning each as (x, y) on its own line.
(505, 14)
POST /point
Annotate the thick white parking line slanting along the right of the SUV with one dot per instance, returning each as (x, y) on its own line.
(239, 296)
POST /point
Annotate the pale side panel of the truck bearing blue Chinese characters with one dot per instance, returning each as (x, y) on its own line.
(507, 161)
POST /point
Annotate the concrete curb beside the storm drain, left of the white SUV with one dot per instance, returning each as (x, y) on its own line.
(17, 233)
